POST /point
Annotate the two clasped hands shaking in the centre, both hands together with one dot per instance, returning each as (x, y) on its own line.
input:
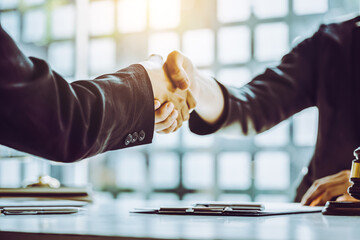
(178, 89)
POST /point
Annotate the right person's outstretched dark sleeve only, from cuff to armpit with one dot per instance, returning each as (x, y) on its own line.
(271, 97)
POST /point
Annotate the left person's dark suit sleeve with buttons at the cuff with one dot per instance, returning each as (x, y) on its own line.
(42, 114)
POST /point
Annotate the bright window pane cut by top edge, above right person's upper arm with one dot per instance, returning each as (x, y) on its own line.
(302, 7)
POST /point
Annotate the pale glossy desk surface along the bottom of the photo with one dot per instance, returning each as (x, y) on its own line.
(112, 220)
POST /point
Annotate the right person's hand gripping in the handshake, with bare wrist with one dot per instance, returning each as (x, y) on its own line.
(205, 90)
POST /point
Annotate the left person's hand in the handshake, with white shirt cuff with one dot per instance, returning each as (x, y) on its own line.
(178, 103)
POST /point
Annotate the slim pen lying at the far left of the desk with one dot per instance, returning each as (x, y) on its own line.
(38, 210)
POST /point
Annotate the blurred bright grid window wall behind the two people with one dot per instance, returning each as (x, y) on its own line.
(232, 40)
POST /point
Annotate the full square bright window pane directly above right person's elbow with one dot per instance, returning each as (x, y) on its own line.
(271, 41)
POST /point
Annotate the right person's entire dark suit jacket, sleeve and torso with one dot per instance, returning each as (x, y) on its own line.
(322, 71)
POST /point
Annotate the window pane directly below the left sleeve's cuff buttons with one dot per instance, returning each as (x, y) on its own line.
(131, 171)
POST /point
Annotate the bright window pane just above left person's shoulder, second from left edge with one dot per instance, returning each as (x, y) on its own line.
(34, 25)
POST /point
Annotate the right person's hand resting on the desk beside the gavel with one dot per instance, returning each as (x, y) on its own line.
(324, 189)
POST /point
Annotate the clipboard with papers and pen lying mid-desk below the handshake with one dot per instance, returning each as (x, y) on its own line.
(232, 209)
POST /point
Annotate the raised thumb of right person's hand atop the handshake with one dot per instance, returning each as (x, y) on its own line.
(174, 67)
